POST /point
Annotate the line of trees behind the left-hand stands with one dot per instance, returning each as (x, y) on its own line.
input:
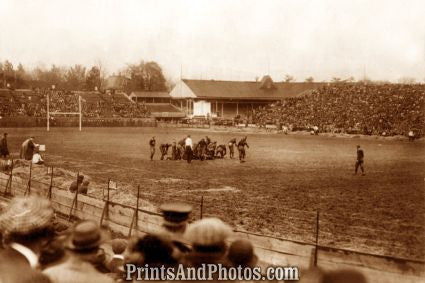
(143, 76)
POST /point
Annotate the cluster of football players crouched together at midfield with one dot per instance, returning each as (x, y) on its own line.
(202, 150)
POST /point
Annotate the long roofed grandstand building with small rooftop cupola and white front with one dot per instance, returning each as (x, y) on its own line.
(227, 99)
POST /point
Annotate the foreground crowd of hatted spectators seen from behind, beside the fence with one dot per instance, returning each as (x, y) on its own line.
(35, 247)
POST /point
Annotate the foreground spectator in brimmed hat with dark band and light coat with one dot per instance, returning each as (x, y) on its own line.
(83, 246)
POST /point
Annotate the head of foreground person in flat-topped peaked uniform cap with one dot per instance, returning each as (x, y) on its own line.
(176, 217)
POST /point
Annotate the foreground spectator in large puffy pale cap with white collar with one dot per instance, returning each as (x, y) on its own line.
(27, 227)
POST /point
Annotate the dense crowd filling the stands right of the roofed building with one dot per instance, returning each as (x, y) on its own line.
(389, 109)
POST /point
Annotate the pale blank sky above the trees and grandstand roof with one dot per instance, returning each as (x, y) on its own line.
(229, 40)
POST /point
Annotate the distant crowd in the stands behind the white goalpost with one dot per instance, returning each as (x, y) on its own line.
(34, 104)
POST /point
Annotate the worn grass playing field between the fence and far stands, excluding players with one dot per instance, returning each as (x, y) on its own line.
(286, 179)
